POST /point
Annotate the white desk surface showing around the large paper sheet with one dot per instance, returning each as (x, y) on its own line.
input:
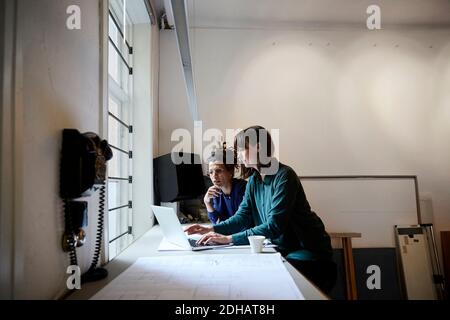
(147, 245)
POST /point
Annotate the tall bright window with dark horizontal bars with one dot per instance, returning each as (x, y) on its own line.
(124, 17)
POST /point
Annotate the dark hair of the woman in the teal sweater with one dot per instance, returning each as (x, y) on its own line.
(254, 135)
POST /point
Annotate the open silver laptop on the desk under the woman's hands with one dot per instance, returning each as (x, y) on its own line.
(173, 231)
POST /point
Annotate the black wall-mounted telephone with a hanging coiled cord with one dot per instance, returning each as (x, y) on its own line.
(83, 171)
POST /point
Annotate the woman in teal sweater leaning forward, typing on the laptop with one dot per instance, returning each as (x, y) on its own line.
(275, 206)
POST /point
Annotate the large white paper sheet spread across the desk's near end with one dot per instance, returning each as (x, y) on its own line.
(205, 276)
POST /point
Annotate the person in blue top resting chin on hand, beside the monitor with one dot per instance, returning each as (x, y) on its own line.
(222, 200)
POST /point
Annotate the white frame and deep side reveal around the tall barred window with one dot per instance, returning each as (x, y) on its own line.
(144, 107)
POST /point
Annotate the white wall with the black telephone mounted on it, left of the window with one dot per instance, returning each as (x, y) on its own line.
(60, 79)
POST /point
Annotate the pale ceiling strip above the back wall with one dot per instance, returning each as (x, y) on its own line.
(291, 13)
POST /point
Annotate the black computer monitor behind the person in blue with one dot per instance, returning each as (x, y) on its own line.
(176, 182)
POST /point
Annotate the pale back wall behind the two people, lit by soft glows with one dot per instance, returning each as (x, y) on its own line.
(346, 101)
